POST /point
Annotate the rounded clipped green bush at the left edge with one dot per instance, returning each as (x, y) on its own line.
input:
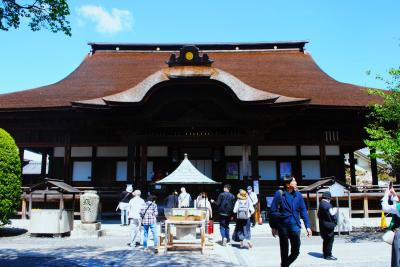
(10, 177)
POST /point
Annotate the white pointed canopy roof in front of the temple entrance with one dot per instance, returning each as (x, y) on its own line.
(186, 173)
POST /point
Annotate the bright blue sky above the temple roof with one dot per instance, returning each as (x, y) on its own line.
(347, 37)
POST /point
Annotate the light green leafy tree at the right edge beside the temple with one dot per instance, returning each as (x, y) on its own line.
(384, 128)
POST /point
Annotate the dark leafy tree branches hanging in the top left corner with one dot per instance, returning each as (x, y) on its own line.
(48, 14)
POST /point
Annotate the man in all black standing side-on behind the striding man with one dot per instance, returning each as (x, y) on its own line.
(327, 223)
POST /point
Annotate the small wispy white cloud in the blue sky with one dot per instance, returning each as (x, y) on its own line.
(117, 21)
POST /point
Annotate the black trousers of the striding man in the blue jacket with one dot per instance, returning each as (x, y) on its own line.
(284, 236)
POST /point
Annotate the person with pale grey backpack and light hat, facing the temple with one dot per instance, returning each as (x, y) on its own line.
(243, 209)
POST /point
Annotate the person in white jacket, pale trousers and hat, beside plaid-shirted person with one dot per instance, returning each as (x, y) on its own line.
(135, 204)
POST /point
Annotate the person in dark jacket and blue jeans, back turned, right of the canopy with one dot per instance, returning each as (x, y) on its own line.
(225, 202)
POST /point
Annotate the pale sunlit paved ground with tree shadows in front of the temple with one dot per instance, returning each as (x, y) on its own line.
(18, 249)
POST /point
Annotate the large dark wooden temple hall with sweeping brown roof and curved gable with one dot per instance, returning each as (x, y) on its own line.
(241, 111)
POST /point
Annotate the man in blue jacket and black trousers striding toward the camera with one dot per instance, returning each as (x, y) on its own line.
(286, 209)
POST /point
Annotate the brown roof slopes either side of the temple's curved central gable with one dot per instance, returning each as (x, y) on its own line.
(288, 72)
